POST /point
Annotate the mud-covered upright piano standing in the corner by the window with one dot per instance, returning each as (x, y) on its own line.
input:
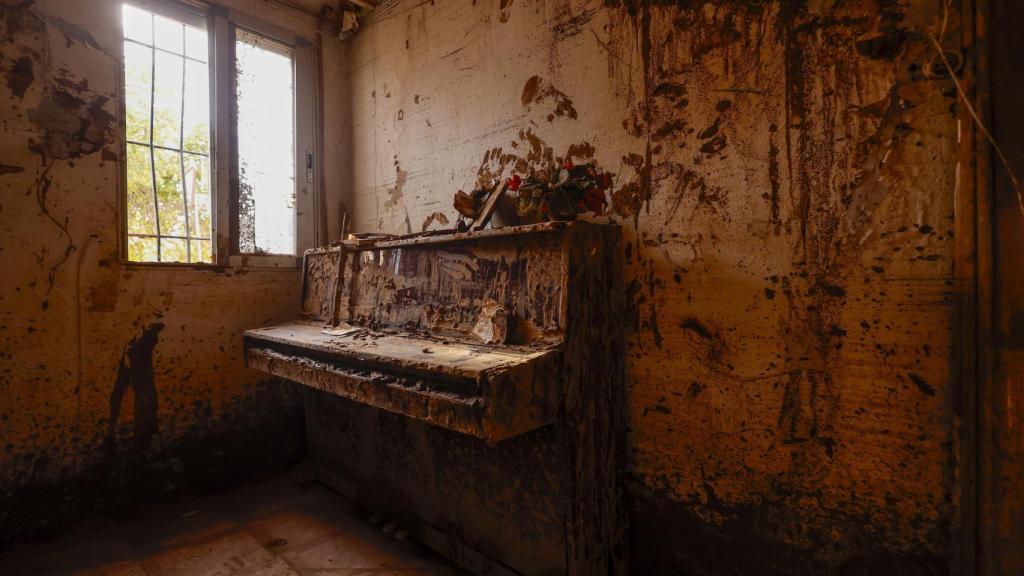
(471, 387)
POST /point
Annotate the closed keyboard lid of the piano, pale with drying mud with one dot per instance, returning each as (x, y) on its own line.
(428, 356)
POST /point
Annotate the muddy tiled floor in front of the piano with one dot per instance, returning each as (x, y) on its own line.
(275, 528)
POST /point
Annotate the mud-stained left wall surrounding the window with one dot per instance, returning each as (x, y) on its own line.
(116, 381)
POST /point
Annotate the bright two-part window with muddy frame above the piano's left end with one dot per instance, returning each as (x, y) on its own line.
(218, 125)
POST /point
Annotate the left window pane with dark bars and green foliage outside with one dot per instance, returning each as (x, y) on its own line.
(169, 192)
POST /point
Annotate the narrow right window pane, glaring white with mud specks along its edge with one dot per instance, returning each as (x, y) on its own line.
(266, 100)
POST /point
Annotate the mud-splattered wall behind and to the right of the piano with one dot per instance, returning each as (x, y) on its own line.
(786, 175)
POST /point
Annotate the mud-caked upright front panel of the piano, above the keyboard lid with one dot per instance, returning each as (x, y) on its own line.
(442, 289)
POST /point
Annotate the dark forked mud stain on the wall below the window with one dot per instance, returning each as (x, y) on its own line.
(136, 374)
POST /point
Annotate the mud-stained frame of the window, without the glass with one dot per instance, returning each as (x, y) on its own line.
(221, 25)
